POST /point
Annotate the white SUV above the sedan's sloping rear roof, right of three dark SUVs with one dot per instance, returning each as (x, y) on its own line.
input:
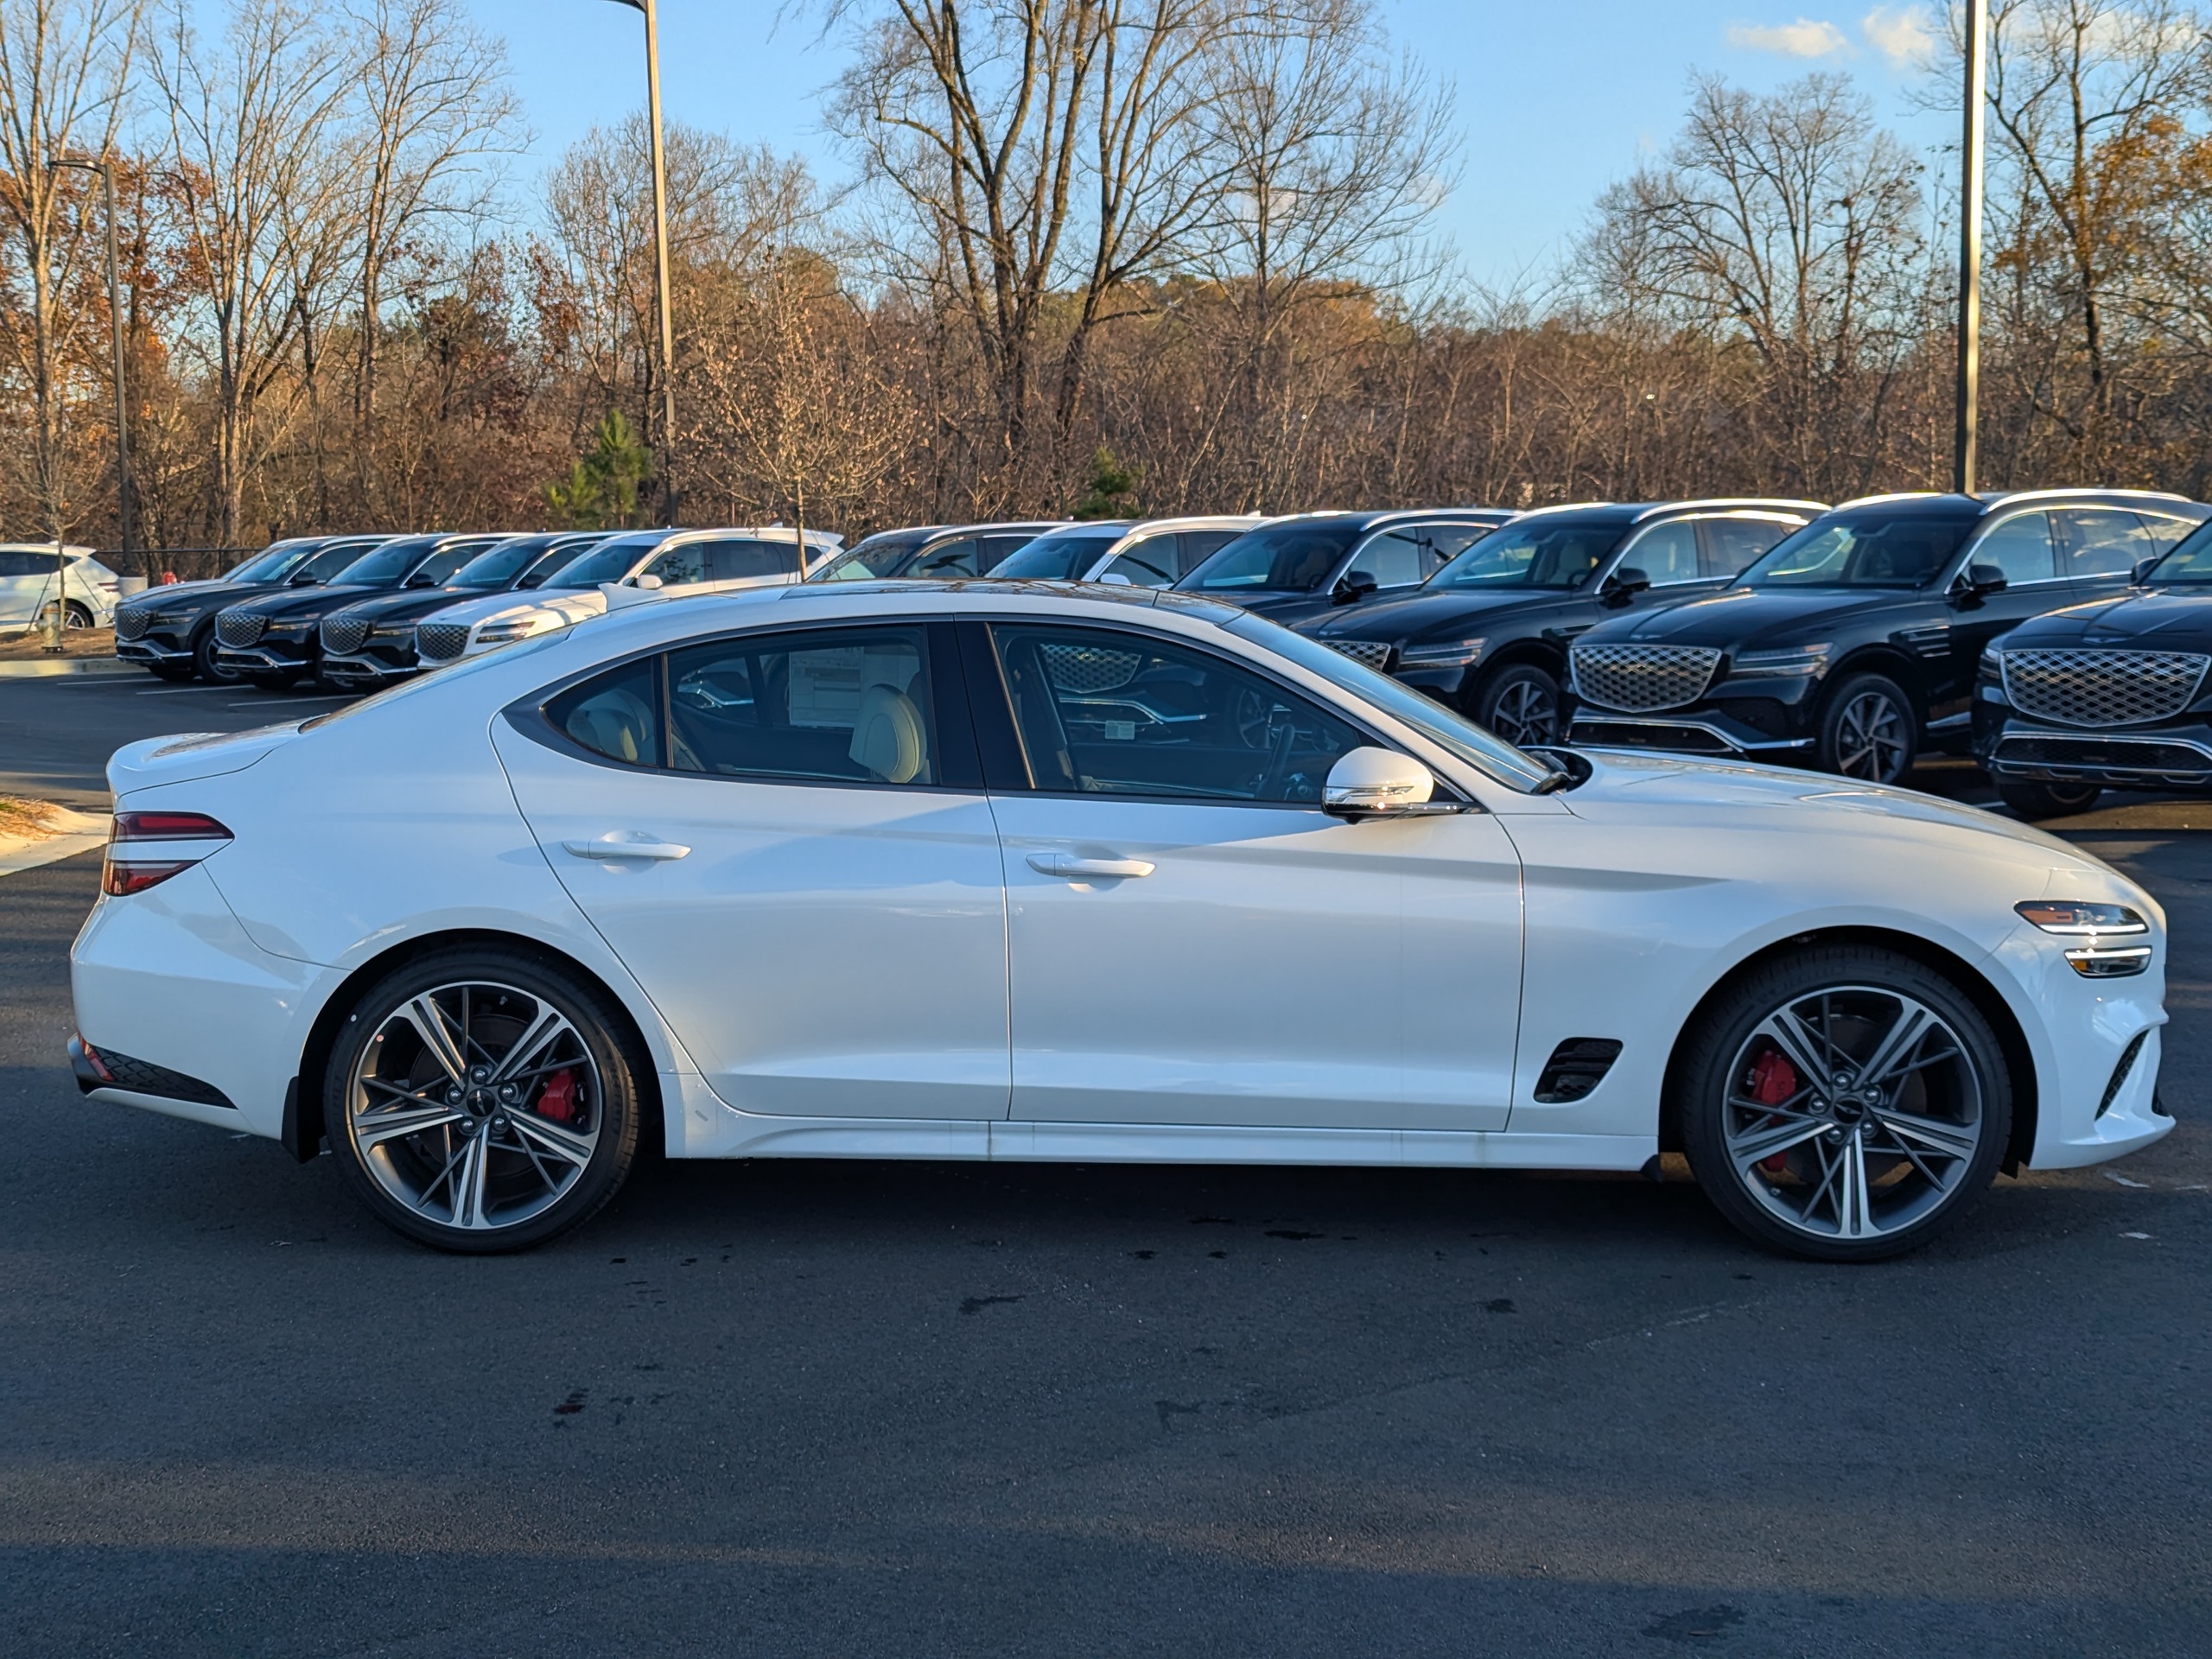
(623, 570)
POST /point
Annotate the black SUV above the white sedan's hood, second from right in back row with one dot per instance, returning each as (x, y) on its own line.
(1857, 640)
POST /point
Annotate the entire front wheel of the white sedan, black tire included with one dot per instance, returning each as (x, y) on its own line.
(1857, 1171)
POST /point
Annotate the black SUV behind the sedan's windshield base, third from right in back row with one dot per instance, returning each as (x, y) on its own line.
(1490, 632)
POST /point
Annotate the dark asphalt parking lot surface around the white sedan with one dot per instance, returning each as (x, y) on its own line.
(935, 1408)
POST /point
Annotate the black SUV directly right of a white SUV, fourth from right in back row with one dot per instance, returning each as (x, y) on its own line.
(1302, 567)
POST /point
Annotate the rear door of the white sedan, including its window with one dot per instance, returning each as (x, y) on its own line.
(786, 839)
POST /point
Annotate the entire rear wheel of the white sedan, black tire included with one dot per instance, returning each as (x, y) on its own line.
(534, 1173)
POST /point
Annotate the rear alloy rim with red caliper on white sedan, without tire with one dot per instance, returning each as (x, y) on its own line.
(477, 1107)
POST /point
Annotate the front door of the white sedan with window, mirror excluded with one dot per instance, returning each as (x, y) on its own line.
(1193, 941)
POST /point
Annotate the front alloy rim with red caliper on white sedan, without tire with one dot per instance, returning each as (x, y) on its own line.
(1853, 1114)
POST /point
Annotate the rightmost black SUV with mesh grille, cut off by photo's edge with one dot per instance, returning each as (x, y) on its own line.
(2107, 693)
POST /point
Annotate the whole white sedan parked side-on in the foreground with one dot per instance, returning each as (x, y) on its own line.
(1052, 873)
